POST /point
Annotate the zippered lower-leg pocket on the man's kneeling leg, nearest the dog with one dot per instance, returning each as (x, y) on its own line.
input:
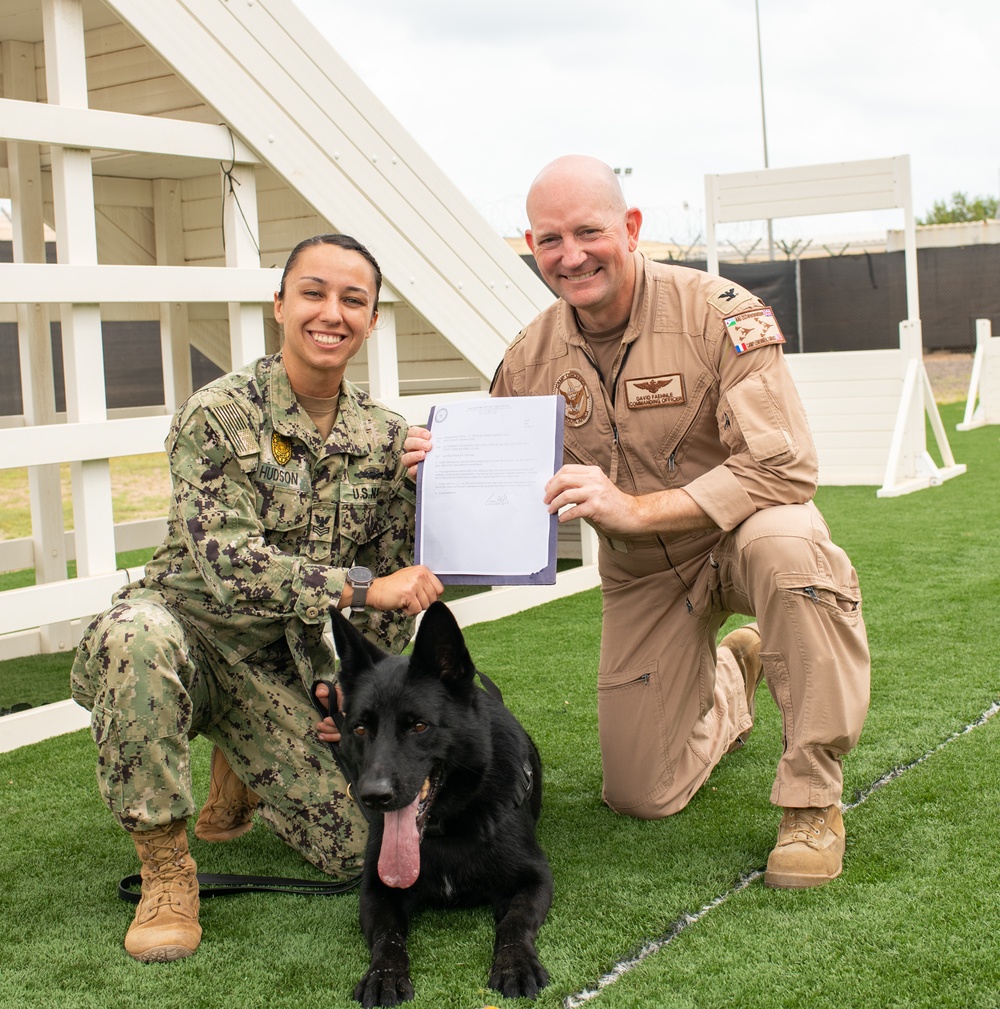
(633, 744)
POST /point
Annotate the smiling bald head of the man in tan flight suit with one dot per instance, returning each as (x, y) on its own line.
(583, 237)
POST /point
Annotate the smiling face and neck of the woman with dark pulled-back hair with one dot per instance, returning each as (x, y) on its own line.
(327, 310)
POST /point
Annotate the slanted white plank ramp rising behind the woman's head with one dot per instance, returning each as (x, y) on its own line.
(281, 87)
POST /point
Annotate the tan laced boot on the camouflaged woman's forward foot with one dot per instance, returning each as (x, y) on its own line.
(166, 926)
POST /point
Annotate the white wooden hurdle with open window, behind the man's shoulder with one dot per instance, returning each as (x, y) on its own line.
(866, 408)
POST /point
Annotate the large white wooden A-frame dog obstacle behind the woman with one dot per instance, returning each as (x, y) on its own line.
(110, 115)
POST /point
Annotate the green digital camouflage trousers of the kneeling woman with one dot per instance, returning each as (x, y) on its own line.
(153, 685)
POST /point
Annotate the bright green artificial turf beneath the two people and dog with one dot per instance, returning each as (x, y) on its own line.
(911, 924)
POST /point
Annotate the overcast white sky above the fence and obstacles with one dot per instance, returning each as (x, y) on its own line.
(670, 88)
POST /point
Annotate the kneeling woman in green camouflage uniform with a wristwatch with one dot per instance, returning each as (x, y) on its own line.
(285, 479)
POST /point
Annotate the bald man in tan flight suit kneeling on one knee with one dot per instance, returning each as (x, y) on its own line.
(688, 450)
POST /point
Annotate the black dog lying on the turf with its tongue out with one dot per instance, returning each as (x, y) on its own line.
(454, 787)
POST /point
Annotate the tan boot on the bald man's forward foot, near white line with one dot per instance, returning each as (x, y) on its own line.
(810, 850)
